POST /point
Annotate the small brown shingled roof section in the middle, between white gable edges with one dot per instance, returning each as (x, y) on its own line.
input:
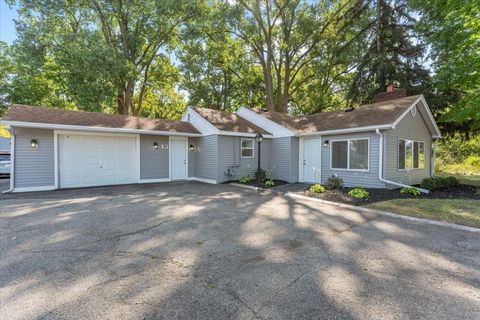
(226, 121)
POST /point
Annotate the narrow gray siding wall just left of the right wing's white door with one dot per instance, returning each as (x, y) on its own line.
(285, 159)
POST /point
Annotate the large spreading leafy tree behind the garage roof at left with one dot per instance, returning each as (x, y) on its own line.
(103, 46)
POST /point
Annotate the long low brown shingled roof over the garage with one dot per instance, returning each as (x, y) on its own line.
(39, 115)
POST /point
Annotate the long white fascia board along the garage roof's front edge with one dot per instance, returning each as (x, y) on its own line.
(22, 124)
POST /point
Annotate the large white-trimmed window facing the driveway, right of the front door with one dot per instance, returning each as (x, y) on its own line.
(351, 154)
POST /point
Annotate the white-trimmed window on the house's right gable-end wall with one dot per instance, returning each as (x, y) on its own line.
(411, 154)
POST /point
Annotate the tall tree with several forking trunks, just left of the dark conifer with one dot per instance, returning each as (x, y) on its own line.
(287, 37)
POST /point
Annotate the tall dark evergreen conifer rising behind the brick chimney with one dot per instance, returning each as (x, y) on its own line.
(392, 52)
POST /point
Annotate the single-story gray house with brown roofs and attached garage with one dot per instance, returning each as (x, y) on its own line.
(387, 144)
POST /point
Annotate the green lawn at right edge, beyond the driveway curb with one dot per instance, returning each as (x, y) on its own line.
(459, 211)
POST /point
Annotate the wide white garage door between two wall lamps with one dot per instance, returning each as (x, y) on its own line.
(88, 160)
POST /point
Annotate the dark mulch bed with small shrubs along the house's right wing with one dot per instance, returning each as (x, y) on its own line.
(461, 191)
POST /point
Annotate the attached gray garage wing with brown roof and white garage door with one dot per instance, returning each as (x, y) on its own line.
(56, 149)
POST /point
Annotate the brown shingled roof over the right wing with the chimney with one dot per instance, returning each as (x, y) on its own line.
(383, 113)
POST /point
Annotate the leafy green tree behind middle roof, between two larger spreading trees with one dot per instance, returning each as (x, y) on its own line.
(217, 71)
